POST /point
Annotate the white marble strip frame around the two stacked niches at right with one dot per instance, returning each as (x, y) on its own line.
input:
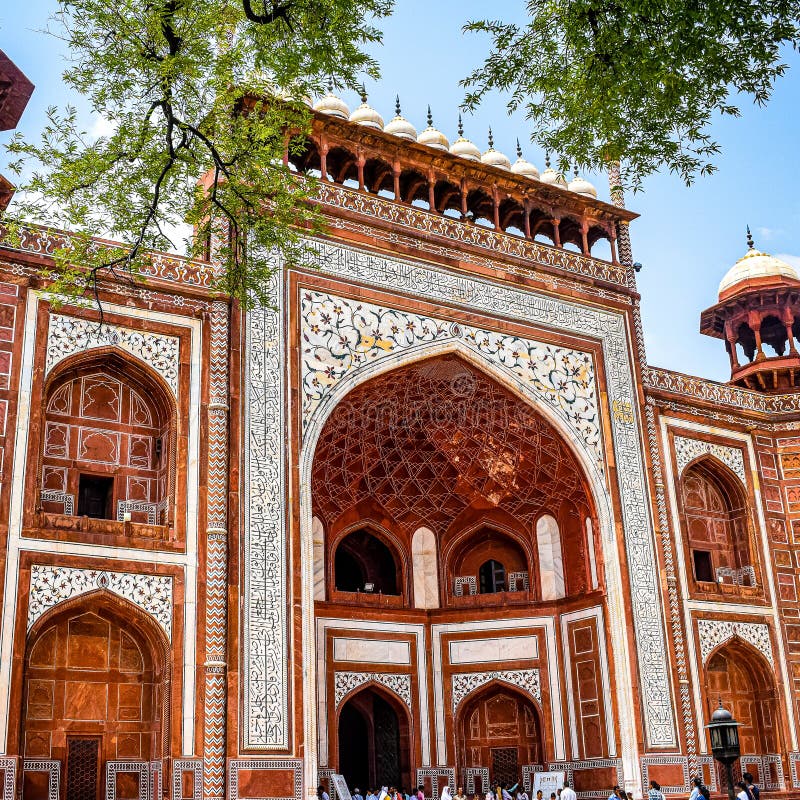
(690, 607)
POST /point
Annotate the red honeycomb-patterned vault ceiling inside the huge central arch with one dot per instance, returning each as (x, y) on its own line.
(427, 441)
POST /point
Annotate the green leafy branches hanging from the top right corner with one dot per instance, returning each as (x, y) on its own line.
(635, 81)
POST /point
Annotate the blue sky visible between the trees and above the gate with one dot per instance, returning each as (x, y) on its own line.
(686, 238)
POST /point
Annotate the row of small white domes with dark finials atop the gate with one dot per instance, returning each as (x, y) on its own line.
(431, 137)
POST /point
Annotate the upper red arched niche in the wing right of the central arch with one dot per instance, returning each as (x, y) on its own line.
(716, 526)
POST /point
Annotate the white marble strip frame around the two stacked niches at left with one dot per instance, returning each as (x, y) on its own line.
(124, 555)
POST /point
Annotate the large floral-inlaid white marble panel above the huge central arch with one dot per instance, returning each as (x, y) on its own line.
(341, 335)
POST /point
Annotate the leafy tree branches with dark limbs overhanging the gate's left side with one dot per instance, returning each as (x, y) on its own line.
(172, 78)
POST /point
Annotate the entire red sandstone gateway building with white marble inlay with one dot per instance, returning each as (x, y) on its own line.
(427, 517)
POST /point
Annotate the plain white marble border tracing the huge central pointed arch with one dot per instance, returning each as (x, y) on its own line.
(596, 479)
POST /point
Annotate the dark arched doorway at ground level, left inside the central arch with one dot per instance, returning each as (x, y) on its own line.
(373, 741)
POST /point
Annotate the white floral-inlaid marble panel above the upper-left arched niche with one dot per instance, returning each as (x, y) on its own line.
(68, 335)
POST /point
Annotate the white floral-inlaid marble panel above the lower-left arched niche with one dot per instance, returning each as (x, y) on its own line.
(52, 585)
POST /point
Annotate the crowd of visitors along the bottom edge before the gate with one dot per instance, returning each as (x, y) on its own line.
(746, 789)
